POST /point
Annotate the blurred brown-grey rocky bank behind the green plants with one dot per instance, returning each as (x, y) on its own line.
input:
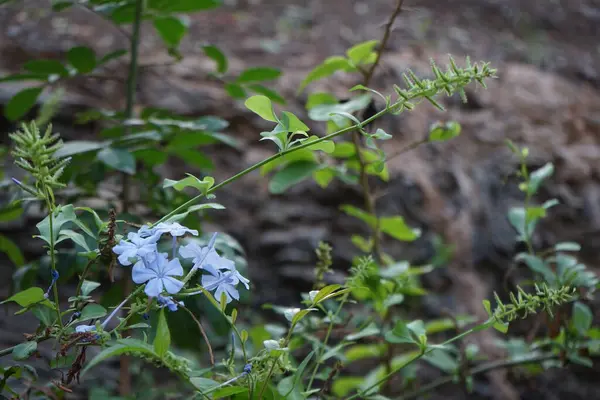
(547, 97)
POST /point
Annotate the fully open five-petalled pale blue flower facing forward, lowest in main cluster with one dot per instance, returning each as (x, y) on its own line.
(158, 273)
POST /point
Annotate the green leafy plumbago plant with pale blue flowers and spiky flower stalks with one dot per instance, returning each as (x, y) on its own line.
(173, 271)
